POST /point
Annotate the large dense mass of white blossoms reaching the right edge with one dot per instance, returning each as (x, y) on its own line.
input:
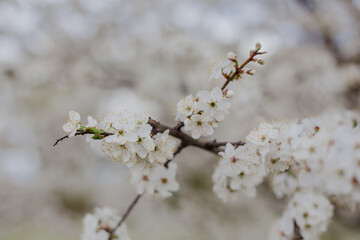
(308, 161)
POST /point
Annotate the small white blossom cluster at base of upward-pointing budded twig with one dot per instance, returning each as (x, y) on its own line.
(201, 114)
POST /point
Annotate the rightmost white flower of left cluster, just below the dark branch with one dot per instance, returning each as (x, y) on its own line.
(163, 149)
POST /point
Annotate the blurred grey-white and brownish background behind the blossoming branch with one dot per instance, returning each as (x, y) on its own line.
(93, 56)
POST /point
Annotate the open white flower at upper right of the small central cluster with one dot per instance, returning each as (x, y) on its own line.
(213, 103)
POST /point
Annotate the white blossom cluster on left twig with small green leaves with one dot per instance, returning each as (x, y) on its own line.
(127, 138)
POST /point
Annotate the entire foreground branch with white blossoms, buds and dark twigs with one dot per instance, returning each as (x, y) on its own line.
(313, 163)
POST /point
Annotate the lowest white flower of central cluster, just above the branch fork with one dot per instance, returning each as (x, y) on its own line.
(199, 125)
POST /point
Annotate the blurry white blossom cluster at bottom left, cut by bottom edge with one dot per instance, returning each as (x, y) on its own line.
(97, 226)
